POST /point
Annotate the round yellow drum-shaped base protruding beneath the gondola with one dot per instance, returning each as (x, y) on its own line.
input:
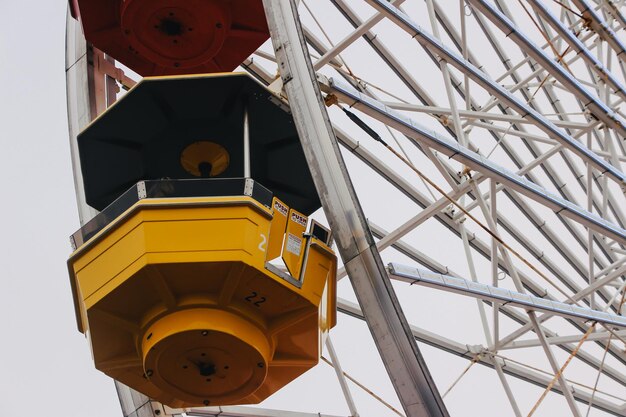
(206, 353)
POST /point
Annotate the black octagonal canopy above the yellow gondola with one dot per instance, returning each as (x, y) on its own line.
(143, 135)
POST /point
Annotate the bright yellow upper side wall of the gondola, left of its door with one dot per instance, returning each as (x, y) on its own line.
(214, 233)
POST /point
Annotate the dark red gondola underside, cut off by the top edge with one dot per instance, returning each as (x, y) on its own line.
(164, 37)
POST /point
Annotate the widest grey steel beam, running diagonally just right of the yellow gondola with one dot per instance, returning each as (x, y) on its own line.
(404, 363)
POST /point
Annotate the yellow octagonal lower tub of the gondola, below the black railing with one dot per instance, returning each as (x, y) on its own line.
(162, 258)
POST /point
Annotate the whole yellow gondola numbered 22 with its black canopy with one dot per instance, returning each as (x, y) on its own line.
(172, 280)
